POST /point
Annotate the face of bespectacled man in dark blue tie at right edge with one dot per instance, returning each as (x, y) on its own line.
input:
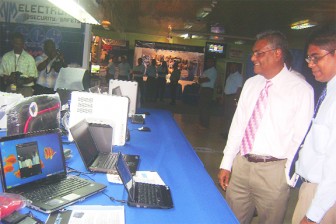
(322, 63)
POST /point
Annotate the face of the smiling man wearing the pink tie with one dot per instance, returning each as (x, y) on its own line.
(264, 58)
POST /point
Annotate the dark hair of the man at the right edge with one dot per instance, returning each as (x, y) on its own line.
(324, 37)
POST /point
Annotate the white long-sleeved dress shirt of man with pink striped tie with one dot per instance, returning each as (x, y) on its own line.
(284, 123)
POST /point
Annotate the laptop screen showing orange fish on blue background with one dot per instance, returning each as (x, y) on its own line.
(31, 157)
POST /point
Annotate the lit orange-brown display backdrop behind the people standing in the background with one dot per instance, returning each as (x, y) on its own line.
(190, 58)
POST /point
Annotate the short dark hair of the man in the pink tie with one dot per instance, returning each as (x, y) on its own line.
(275, 38)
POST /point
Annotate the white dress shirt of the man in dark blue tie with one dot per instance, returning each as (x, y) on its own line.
(317, 158)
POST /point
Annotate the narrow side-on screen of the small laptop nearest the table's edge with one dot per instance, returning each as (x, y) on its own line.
(125, 175)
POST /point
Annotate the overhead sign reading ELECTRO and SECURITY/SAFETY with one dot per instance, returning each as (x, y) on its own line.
(38, 12)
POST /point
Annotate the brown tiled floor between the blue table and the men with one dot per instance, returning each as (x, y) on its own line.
(208, 143)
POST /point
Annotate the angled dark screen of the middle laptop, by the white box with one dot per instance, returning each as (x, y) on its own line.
(84, 142)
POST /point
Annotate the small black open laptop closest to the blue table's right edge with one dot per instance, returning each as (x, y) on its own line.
(143, 195)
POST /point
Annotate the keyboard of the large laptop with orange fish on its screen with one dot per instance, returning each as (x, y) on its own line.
(58, 189)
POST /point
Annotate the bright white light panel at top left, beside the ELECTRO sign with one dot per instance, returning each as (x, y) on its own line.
(75, 10)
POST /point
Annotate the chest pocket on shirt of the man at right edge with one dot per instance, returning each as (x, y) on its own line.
(320, 136)
